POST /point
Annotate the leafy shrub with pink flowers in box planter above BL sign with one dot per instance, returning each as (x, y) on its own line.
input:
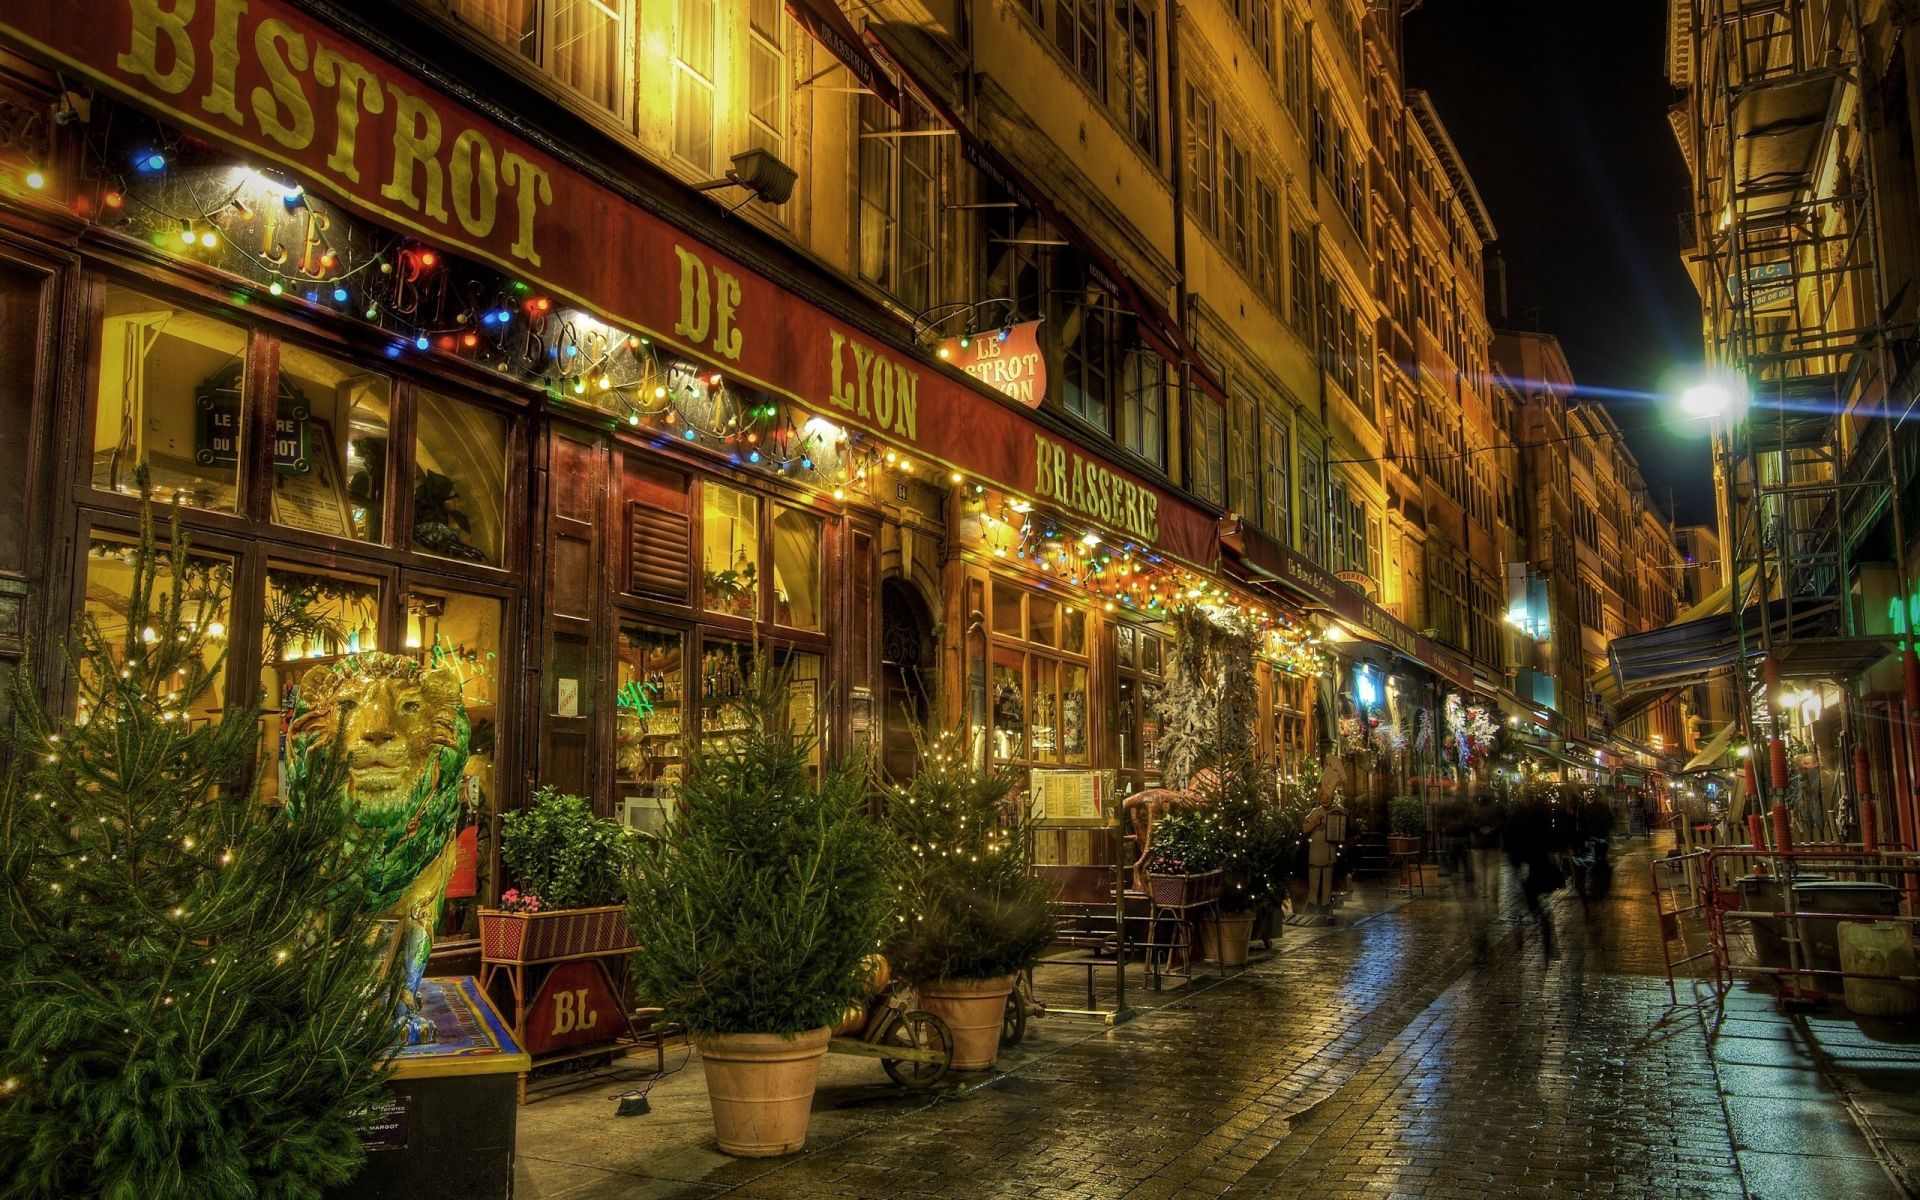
(569, 884)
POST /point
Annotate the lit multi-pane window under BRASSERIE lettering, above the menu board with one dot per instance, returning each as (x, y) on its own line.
(1040, 679)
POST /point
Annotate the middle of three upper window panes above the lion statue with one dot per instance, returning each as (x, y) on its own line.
(339, 483)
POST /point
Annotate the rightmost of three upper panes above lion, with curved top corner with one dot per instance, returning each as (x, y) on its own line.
(460, 485)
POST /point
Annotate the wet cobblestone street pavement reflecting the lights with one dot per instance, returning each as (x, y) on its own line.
(1422, 1053)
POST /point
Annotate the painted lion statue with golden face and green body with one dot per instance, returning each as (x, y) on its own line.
(404, 734)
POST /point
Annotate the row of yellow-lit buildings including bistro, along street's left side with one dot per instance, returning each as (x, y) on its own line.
(940, 352)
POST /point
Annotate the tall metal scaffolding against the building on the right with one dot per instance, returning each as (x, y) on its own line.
(1783, 155)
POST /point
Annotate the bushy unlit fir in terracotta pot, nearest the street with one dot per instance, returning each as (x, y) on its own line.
(756, 911)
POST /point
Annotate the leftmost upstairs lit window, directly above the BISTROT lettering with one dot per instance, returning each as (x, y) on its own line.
(583, 43)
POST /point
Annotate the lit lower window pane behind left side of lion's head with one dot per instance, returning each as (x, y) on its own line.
(314, 619)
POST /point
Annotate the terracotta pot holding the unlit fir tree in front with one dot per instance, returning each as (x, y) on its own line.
(761, 1088)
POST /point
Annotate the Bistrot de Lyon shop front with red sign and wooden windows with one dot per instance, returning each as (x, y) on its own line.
(421, 387)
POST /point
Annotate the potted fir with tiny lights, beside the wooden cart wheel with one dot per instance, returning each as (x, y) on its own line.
(972, 913)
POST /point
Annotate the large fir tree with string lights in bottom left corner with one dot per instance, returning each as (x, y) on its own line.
(193, 997)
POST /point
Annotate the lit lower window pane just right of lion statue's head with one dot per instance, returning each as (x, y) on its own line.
(460, 635)
